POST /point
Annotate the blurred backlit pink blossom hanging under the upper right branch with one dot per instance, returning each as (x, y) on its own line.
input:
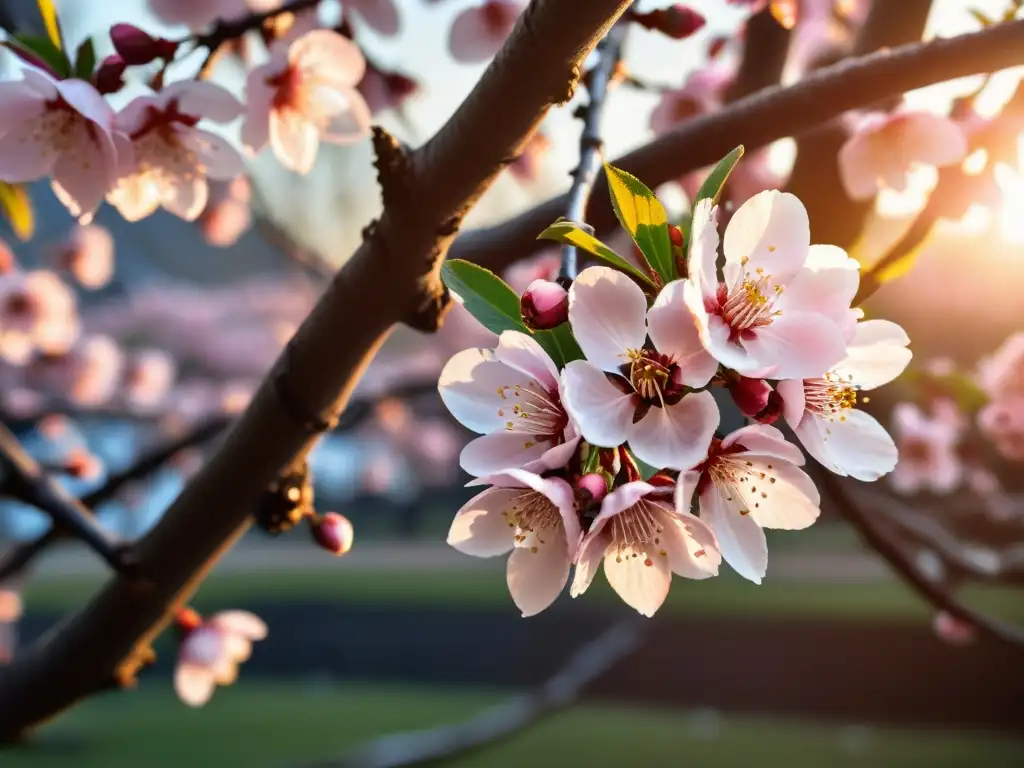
(884, 148)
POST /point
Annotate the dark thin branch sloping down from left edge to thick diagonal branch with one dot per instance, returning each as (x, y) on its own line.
(27, 483)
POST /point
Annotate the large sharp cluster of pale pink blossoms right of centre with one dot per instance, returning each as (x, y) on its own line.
(563, 446)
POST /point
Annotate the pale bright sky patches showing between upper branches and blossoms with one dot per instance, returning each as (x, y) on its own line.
(328, 215)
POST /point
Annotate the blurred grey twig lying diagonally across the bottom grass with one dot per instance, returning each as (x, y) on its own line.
(503, 720)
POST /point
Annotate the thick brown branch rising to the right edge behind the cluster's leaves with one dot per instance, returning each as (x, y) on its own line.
(759, 120)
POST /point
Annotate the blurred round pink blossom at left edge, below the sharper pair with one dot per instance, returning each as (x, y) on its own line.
(37, 313)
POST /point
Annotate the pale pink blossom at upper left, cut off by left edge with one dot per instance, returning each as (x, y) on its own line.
(63, 130)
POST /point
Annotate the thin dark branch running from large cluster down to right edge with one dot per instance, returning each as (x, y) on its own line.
(876, 538)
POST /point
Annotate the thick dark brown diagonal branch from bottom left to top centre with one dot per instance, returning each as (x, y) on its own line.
(394, 276)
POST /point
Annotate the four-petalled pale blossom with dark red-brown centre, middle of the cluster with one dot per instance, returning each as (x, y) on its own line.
(627, 391)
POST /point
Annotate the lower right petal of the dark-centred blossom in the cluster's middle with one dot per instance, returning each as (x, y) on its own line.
(676, 437)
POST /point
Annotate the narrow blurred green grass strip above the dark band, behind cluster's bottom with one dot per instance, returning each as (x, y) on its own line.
(727, 595)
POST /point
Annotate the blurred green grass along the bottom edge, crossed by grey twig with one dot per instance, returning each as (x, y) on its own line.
(255, 726)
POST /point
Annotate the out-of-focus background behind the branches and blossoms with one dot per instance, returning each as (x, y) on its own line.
(831, 662)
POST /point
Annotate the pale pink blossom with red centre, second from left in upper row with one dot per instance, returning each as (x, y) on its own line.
(174, 156)
